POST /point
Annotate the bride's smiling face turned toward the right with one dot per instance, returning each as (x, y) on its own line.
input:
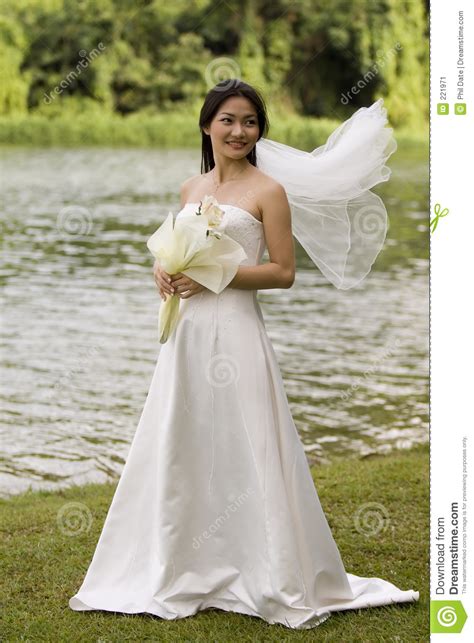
(235, 121)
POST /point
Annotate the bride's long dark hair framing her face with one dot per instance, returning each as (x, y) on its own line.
(214, 98)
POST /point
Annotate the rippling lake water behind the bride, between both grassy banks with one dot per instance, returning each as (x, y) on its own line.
(79, 317)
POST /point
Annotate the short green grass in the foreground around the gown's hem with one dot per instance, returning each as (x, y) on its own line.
(43, 567)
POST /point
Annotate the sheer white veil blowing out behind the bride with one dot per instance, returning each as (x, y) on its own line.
(340, 223)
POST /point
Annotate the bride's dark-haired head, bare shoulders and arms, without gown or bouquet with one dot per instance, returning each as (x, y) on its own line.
(232, 134)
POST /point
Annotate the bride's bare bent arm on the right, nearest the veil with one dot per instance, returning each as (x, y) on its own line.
(279, 272)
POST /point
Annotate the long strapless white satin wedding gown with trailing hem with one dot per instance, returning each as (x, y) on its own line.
(216, 506)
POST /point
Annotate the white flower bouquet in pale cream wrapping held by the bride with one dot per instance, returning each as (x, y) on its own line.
(194, 246)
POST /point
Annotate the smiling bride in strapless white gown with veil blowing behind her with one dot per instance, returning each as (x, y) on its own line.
(216, 506)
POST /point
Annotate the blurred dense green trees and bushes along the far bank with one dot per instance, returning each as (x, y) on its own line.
(154, 56)
